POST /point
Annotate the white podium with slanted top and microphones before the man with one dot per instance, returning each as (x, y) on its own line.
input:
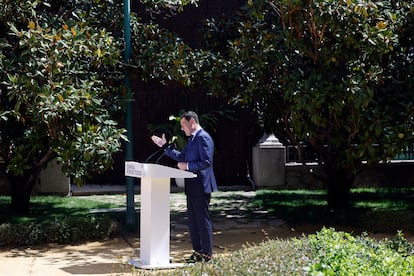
(155, 212)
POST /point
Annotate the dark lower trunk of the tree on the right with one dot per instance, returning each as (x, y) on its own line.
(339, 187)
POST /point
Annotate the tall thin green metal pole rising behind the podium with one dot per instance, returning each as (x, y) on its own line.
(131, 220)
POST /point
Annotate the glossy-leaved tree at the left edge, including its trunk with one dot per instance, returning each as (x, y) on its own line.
(60, 92)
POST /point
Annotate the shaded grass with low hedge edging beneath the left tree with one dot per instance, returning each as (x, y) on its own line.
(63, 220)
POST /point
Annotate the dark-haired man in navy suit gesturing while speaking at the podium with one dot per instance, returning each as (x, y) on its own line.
(197, 157)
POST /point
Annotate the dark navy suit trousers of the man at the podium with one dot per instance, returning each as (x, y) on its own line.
(199, 222)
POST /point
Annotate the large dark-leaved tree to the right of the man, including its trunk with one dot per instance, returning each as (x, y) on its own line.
(336, 75)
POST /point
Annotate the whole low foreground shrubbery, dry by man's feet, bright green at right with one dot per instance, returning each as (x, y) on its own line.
(327, 252)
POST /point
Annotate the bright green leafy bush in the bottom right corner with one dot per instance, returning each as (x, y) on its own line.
(339, 253)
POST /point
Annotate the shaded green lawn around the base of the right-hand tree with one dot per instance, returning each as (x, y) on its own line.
(374, 210)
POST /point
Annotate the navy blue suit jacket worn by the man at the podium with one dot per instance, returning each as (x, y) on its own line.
(199, 154)
